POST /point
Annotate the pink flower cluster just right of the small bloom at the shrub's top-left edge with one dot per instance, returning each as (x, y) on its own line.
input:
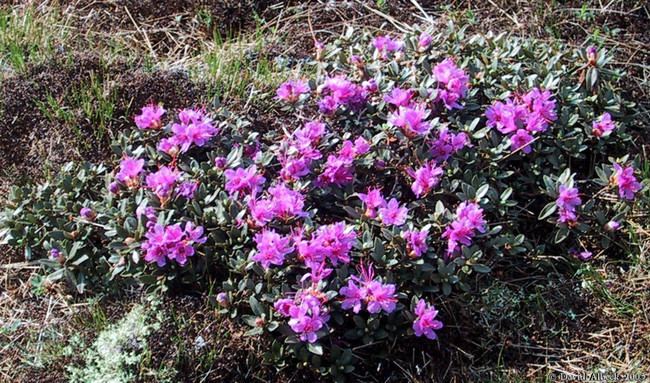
(339, 91)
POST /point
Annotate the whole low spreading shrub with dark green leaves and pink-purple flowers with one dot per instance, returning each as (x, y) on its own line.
(414, 163)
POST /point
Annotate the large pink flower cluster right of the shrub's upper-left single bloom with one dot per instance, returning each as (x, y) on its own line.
(194, 128)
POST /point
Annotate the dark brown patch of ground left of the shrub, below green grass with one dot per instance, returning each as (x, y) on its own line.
(31, 139)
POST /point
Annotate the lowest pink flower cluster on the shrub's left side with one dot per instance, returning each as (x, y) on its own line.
(172, 243)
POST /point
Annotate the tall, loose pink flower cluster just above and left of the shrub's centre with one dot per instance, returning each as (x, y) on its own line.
(298, 151)
